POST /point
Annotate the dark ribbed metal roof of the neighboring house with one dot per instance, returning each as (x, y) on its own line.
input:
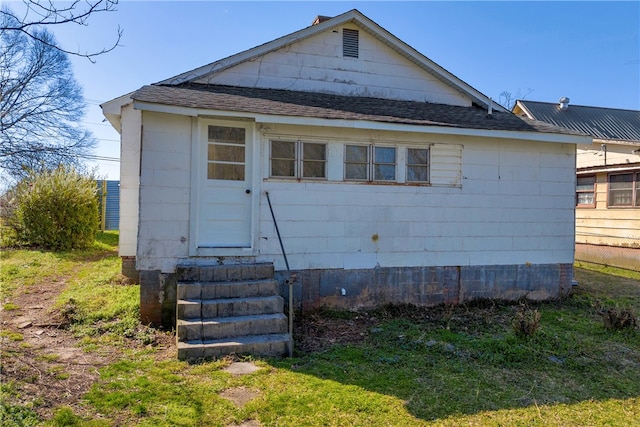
(600, 123)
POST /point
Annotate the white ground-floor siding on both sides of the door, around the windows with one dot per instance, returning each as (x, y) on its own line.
(487, 212)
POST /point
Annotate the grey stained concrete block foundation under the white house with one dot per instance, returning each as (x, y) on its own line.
(369, 288)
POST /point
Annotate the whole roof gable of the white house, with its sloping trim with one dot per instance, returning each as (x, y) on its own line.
(311, 60)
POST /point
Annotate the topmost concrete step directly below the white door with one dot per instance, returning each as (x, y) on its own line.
(224, 273)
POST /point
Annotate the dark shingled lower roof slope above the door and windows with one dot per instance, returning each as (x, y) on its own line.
(337, 107)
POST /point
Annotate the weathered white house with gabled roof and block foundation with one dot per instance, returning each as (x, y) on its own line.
(391, 180)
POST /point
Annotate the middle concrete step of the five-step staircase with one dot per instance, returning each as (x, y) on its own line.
(229, 307)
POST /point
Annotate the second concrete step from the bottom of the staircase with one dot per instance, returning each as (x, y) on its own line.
(225, 327)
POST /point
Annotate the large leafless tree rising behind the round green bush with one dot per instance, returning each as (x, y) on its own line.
(41, 104)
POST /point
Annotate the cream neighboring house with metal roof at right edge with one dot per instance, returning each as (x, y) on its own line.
(608, 182)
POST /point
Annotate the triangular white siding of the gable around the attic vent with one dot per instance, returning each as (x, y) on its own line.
(316, 64)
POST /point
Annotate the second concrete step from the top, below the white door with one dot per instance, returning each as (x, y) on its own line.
(217, 290)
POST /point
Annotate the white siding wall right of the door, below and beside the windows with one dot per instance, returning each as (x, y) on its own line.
(509, 217)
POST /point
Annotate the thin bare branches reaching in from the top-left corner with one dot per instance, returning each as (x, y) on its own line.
(40, 14)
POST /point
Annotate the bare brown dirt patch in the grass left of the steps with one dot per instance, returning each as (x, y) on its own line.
(42, 363)
